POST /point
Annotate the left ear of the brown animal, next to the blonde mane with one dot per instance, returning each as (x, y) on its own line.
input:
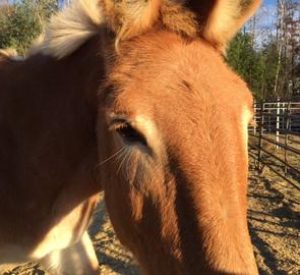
(128, 18)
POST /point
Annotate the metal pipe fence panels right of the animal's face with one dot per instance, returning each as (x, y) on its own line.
(274, 139)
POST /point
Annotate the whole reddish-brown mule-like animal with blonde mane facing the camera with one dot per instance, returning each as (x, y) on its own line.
(138, 92)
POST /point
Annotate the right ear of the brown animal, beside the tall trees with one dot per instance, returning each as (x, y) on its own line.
(220, 20)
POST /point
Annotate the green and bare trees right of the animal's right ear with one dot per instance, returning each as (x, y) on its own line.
(269, 59)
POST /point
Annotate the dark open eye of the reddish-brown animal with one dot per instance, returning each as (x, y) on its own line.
(131, 135)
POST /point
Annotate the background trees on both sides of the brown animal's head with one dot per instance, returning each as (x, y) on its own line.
(269, 62)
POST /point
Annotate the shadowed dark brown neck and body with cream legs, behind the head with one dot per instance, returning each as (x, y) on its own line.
(48, 150)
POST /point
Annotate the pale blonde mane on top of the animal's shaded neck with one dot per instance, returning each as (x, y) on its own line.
(69, 29)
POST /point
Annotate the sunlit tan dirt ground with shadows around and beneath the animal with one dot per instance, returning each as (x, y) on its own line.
(274, 220)
